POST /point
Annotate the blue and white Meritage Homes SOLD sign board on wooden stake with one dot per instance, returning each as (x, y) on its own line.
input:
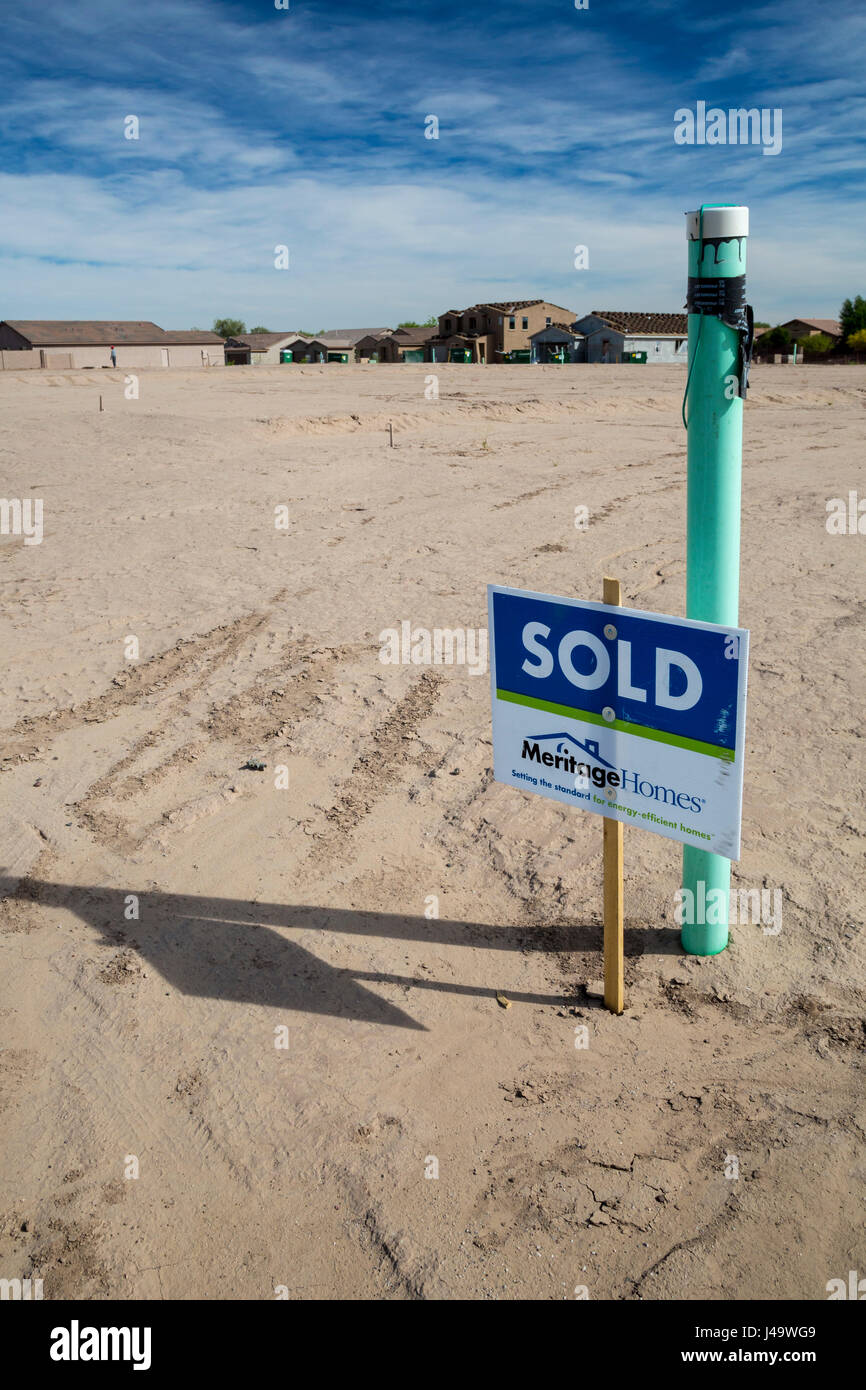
(632, 715)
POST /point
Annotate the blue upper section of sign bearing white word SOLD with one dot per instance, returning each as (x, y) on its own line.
(678, 679)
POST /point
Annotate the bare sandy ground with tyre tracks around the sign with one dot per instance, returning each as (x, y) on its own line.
(300, 915)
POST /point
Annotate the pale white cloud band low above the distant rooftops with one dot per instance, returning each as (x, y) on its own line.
(386, 251)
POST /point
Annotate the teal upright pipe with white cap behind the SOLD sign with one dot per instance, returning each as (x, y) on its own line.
(714, 412)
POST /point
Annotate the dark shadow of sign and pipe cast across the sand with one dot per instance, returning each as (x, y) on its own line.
(245, 953)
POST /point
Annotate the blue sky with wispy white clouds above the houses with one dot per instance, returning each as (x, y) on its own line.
(263, 127)
